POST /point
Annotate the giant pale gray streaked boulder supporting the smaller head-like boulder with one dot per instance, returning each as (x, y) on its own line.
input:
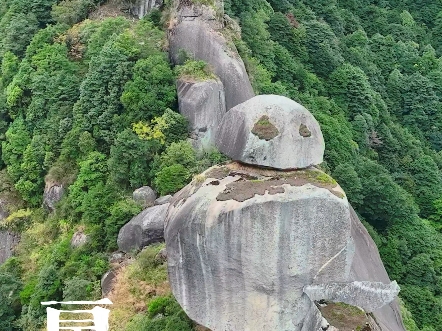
(243, 243)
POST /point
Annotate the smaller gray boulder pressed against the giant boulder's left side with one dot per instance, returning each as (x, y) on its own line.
(144, 229)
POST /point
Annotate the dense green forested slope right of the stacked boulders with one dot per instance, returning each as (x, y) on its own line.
(370, 72)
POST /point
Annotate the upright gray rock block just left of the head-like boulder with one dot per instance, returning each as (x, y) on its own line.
(203, 104)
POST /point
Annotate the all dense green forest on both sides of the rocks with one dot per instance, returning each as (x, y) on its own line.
(91, 104)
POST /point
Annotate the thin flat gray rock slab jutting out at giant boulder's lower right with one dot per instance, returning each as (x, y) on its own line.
(366, 295)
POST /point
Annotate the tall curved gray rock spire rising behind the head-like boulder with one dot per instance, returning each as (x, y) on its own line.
(195, 33)
